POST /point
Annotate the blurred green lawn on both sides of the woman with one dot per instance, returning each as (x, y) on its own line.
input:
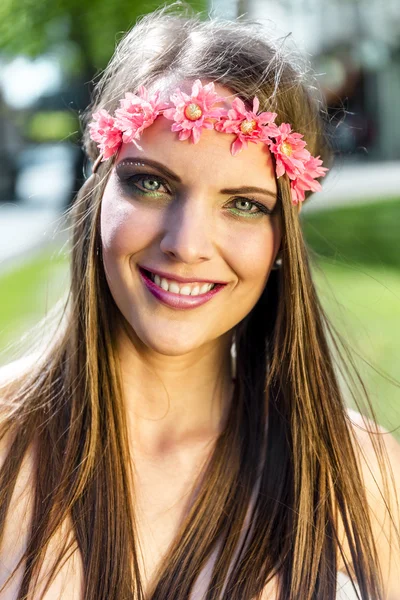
(356, 267)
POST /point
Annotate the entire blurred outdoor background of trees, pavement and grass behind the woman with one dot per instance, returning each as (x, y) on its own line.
(50, 52)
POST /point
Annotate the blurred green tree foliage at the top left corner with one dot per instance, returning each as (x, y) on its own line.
(89, 30)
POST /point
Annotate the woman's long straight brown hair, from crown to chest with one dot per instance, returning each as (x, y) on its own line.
(288, 355)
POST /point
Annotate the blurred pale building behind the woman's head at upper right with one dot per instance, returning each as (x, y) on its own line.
(355, 50)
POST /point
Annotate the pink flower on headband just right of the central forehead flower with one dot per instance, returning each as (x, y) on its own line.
(248, 125)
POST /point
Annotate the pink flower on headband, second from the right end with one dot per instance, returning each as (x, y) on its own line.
(289, 150)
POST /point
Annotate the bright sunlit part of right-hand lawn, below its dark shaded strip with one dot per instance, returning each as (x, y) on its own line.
(363, 303)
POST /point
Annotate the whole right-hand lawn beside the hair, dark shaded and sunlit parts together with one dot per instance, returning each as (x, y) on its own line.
(356, 258)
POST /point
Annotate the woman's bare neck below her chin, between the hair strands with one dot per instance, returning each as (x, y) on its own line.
(175, 402)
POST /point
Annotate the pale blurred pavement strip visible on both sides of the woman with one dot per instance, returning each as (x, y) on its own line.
(24, 229)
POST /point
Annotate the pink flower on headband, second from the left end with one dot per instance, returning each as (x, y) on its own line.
(136, 113)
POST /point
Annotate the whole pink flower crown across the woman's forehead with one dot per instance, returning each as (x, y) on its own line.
(193, 113)
